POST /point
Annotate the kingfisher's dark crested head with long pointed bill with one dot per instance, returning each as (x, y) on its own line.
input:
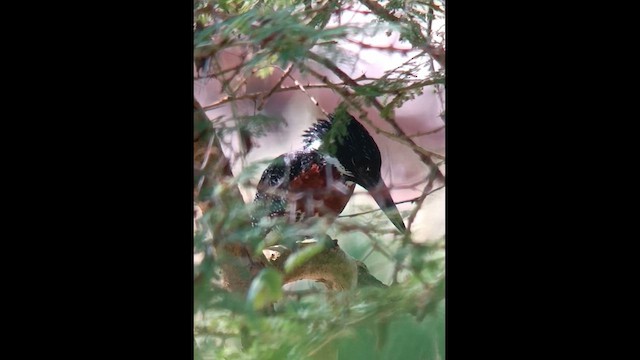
(347, 145)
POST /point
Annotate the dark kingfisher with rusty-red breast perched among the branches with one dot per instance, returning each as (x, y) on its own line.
(319, 179)
